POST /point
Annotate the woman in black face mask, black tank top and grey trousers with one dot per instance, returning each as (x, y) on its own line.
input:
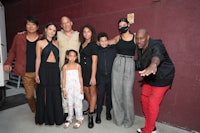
(123, 74)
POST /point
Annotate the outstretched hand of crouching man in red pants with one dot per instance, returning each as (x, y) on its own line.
(152, 69)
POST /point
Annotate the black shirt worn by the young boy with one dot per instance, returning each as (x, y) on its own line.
(106, 57)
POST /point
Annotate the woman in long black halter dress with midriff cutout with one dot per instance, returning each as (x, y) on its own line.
(49, 105)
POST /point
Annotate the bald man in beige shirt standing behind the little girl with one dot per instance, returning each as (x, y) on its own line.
(67, 39)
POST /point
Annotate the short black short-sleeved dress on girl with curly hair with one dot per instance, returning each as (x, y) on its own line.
(86, 61)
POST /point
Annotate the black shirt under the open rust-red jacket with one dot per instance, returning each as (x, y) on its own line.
(30, 56)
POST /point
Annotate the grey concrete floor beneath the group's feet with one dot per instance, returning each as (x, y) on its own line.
(20, 120)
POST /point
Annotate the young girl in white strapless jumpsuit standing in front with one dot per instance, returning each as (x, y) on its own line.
(72, 87)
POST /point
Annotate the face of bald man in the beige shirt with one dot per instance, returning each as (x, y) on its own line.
(66, 24)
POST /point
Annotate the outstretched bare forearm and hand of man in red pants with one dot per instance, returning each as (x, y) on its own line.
(152, 68)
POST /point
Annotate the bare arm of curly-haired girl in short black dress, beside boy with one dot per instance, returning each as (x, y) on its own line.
(94, 70)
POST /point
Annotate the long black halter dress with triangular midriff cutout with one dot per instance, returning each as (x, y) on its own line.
(49, 102)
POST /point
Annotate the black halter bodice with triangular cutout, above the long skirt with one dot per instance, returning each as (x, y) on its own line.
(47, 50)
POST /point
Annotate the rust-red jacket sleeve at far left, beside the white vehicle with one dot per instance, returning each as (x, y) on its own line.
(12, 51)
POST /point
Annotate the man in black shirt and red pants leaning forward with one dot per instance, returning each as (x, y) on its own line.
(157, 69)
